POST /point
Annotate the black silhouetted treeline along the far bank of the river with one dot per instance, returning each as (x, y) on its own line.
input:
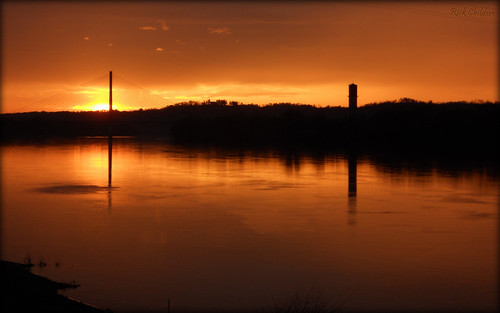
(402, 124)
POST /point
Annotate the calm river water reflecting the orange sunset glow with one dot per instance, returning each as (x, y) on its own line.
(216, 230)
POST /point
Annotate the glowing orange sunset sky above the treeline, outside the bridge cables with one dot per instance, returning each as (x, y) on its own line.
(258, 52)
